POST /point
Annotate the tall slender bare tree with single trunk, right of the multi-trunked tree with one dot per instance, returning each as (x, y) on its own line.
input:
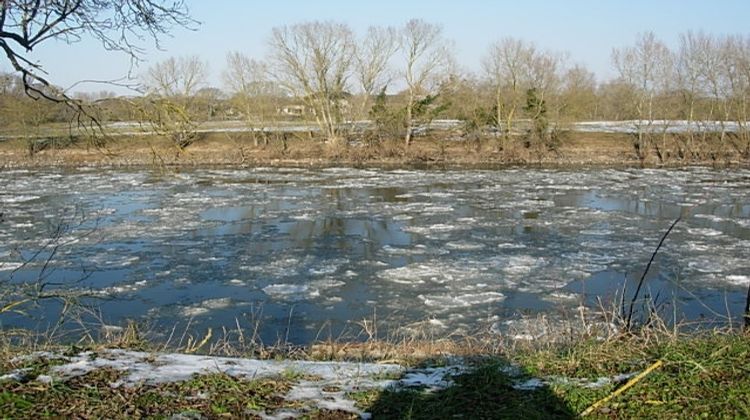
(426, 59)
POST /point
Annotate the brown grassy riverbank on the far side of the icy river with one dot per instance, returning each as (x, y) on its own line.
(239, 149)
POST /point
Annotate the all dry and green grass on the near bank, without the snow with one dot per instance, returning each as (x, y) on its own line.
(708, 364)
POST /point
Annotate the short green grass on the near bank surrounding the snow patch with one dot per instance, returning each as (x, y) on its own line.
(701, 375)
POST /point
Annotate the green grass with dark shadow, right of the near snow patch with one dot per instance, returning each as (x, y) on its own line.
(702, 376)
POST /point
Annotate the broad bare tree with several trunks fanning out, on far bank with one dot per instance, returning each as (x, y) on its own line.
(313, 61)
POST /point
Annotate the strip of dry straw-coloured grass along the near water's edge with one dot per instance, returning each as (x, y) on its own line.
(370, 340)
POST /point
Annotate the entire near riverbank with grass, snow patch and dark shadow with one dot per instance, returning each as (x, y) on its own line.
(644, 376)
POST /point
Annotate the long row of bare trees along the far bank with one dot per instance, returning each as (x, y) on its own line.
(399, 78)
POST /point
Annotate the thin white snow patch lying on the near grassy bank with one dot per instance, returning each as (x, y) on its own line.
(330, 389)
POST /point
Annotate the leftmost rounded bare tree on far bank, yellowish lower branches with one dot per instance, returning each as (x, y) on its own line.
(172, 86)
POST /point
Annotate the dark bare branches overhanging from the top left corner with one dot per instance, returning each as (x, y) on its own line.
(119, 25)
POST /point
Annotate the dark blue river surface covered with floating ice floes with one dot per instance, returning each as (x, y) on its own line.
(306, 248)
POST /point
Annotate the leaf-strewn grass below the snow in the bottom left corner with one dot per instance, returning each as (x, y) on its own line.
(92, 396)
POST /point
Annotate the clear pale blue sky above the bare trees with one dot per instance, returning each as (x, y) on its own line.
(587, 29)
